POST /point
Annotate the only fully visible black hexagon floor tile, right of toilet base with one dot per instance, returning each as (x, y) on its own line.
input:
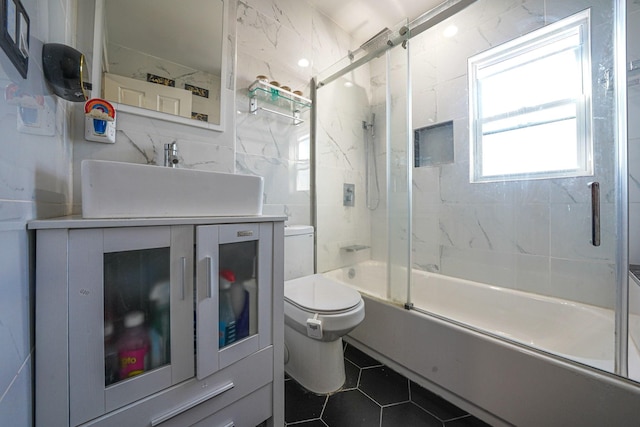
(384, 385)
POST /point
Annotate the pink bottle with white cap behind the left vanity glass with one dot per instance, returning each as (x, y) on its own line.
(133, 345)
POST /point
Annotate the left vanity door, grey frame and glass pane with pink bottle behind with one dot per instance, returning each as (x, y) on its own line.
(130, 315)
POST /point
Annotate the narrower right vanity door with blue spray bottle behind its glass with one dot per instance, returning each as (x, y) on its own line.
(233, 293)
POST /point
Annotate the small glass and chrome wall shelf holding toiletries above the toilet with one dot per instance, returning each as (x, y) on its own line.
(274, 95)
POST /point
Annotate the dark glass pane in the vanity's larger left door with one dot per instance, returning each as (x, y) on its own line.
(137, 317)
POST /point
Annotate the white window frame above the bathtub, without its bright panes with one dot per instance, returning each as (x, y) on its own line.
(519, 51)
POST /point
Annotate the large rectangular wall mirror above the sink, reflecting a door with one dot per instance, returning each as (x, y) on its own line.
(162, 58)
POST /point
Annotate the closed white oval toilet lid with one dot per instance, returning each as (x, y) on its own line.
(318, 294)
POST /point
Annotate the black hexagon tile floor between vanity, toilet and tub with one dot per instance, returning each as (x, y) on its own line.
(373, 396)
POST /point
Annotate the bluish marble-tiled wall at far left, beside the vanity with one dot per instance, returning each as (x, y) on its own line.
(34, 183)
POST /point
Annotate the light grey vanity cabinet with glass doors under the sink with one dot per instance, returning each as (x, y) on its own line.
(129, 315)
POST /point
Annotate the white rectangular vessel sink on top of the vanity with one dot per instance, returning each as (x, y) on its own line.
(130, 190)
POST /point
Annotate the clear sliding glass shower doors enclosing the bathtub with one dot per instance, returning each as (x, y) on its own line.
(500, 140)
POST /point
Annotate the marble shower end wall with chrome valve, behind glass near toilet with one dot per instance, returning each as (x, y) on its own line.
(340, 159)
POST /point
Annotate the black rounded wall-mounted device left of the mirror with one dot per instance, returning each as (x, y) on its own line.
(65, 70)
